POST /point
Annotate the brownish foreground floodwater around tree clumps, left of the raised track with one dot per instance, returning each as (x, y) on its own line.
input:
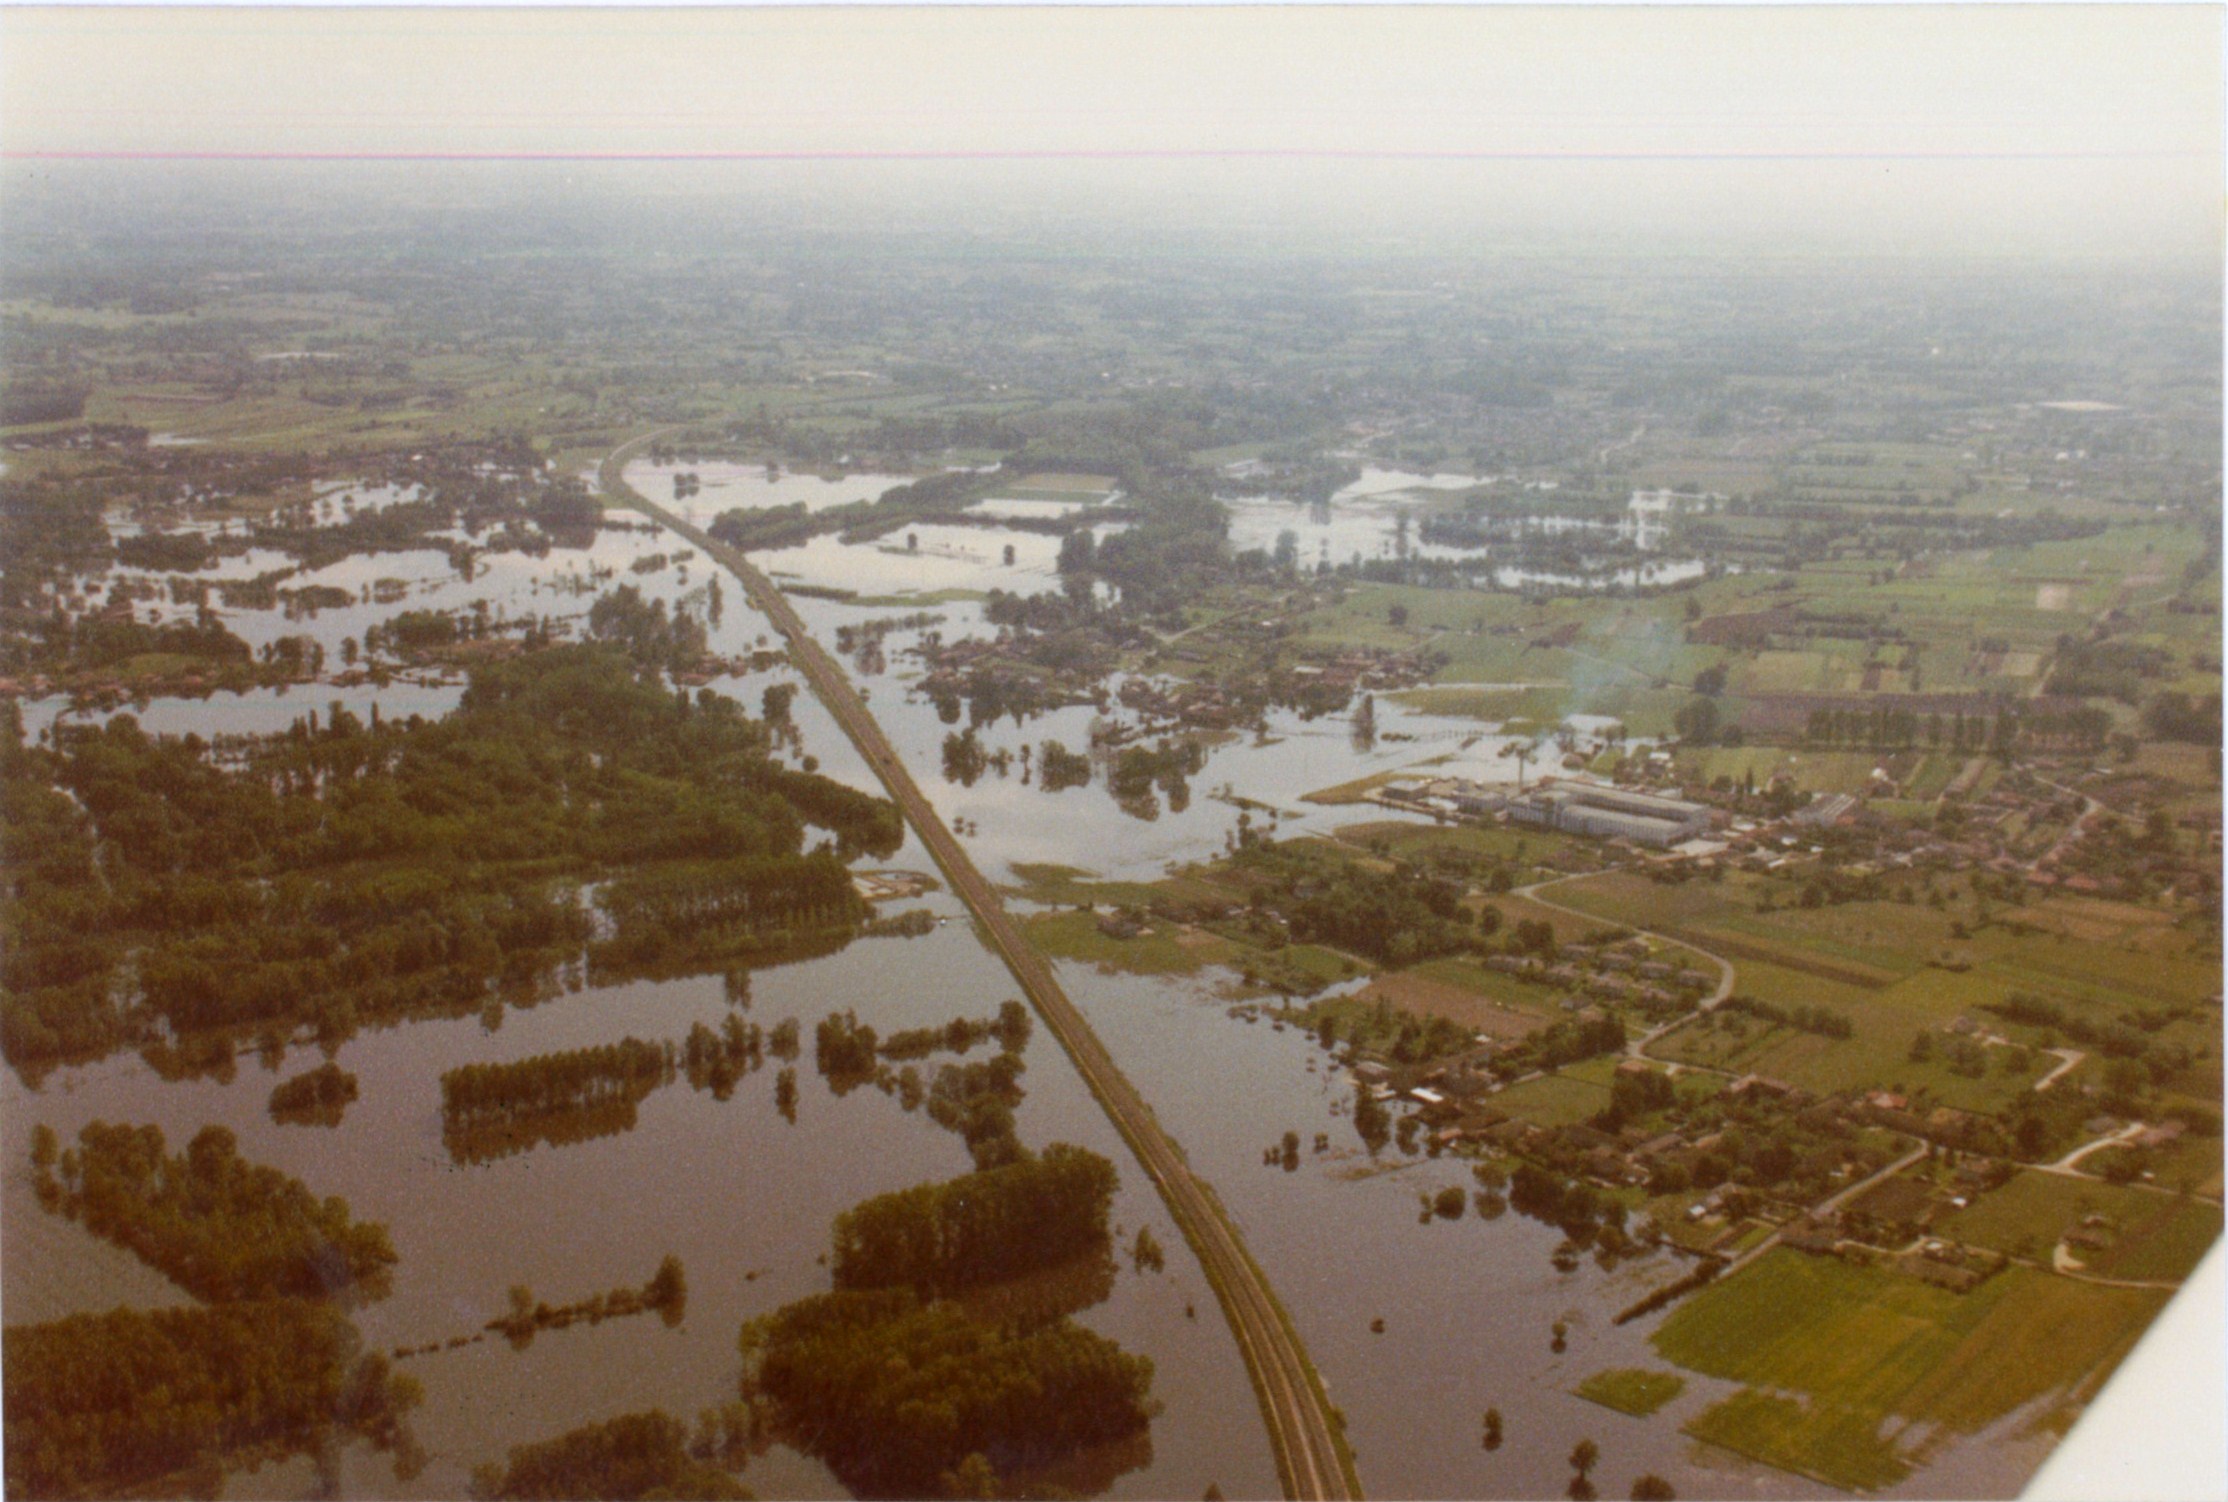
(732, 1189)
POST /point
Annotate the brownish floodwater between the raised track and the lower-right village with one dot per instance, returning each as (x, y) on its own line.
(1467, 1305)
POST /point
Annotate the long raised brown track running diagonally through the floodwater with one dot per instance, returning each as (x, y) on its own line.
(1311, 1459)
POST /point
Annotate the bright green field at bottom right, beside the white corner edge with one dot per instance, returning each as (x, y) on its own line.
(1844, 1360)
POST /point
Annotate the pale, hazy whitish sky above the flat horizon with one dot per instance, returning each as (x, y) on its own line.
(2080, 128)
